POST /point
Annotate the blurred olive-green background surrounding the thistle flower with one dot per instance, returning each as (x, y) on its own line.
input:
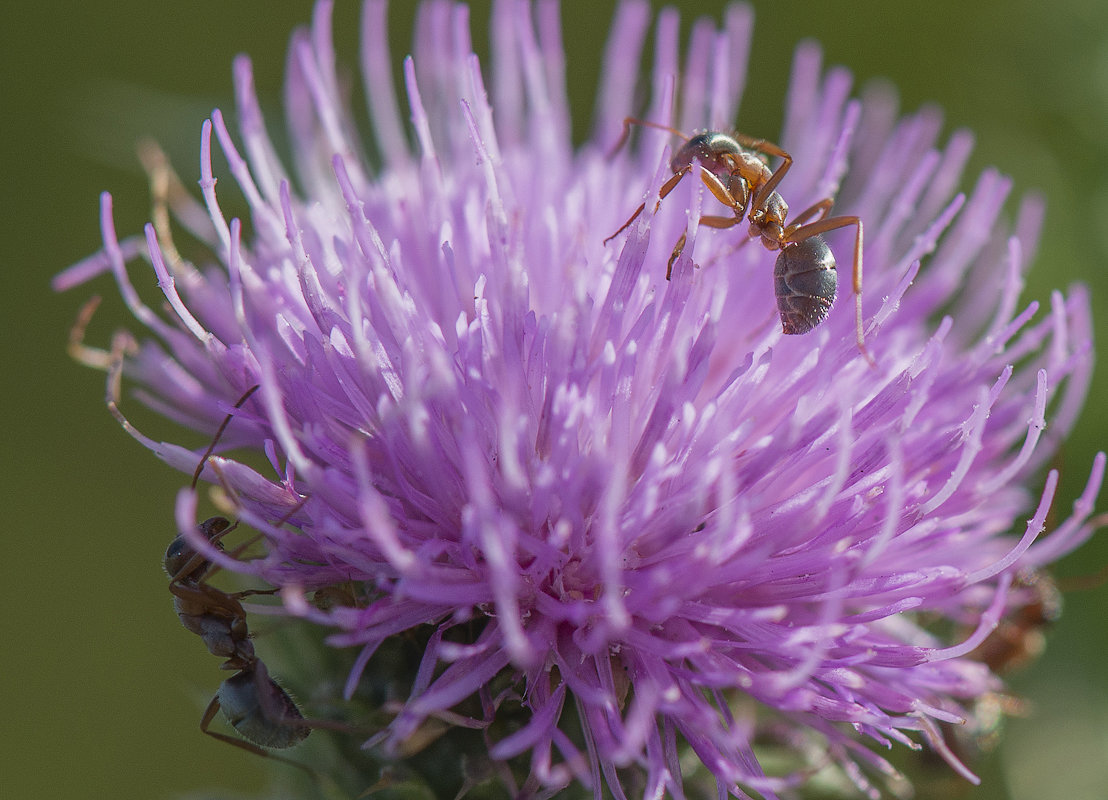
(101, 690)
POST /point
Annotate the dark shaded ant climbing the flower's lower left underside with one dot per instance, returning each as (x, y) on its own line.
(252, 702)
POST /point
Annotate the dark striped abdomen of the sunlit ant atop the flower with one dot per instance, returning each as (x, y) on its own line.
(805, 283)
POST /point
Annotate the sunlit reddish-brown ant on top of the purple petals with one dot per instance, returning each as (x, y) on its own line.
(733, 167)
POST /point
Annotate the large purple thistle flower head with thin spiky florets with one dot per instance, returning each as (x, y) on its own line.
(588, 486)
